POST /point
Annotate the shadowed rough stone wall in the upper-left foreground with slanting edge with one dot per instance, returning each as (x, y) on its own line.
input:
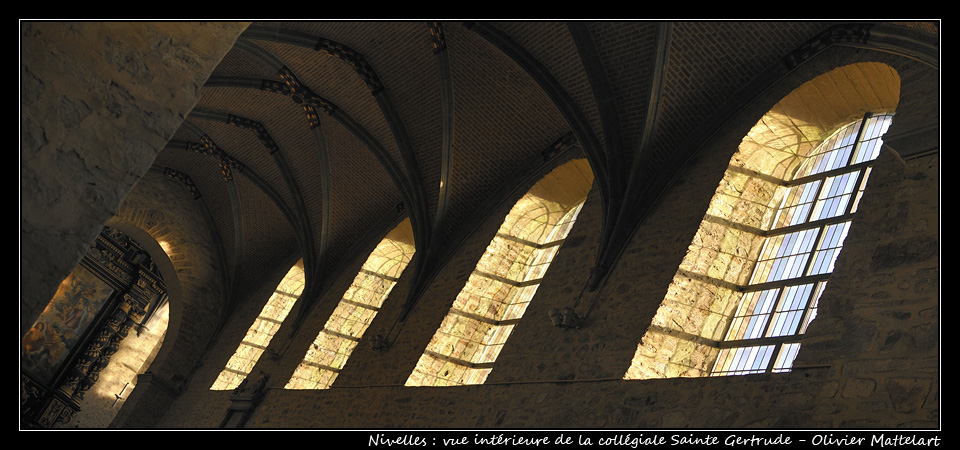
(86, 87)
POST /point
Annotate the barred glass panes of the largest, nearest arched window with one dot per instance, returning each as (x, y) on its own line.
(799, 252)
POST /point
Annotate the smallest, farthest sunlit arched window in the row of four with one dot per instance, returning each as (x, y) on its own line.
(262, 330)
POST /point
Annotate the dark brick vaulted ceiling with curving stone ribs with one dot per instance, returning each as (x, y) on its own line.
(312, 137)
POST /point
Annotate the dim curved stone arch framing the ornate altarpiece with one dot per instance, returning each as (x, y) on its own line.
(170, 219)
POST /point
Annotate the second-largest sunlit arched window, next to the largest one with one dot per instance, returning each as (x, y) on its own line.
(504, 281)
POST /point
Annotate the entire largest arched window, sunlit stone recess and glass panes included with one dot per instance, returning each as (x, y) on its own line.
(752, 277)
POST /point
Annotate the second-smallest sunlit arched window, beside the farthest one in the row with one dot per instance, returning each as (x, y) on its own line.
(329, 351)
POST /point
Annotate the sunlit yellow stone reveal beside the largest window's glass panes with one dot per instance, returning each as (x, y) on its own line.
(688, 331)
